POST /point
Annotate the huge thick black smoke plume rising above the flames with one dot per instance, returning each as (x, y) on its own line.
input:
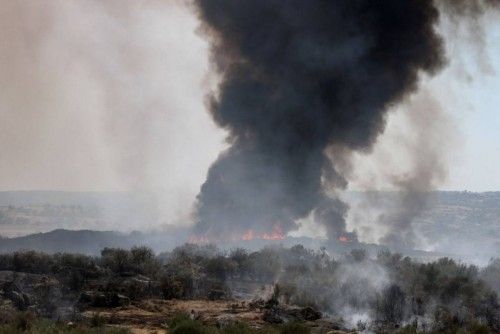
(296, 78)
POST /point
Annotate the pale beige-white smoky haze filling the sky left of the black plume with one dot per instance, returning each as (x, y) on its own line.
(105, 95)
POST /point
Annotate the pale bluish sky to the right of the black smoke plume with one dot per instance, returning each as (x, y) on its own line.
(468, 92)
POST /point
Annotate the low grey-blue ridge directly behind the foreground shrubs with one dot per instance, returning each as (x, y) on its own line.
(92, 242)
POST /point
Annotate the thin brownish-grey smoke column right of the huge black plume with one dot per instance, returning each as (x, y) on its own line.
(427, 146)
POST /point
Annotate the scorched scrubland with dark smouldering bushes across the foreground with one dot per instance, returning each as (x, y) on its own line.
(261, 289)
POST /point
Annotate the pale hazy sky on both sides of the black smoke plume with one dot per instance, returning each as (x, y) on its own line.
(109, 95)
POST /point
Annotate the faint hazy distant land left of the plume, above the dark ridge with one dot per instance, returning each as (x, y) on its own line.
(28, 212)
